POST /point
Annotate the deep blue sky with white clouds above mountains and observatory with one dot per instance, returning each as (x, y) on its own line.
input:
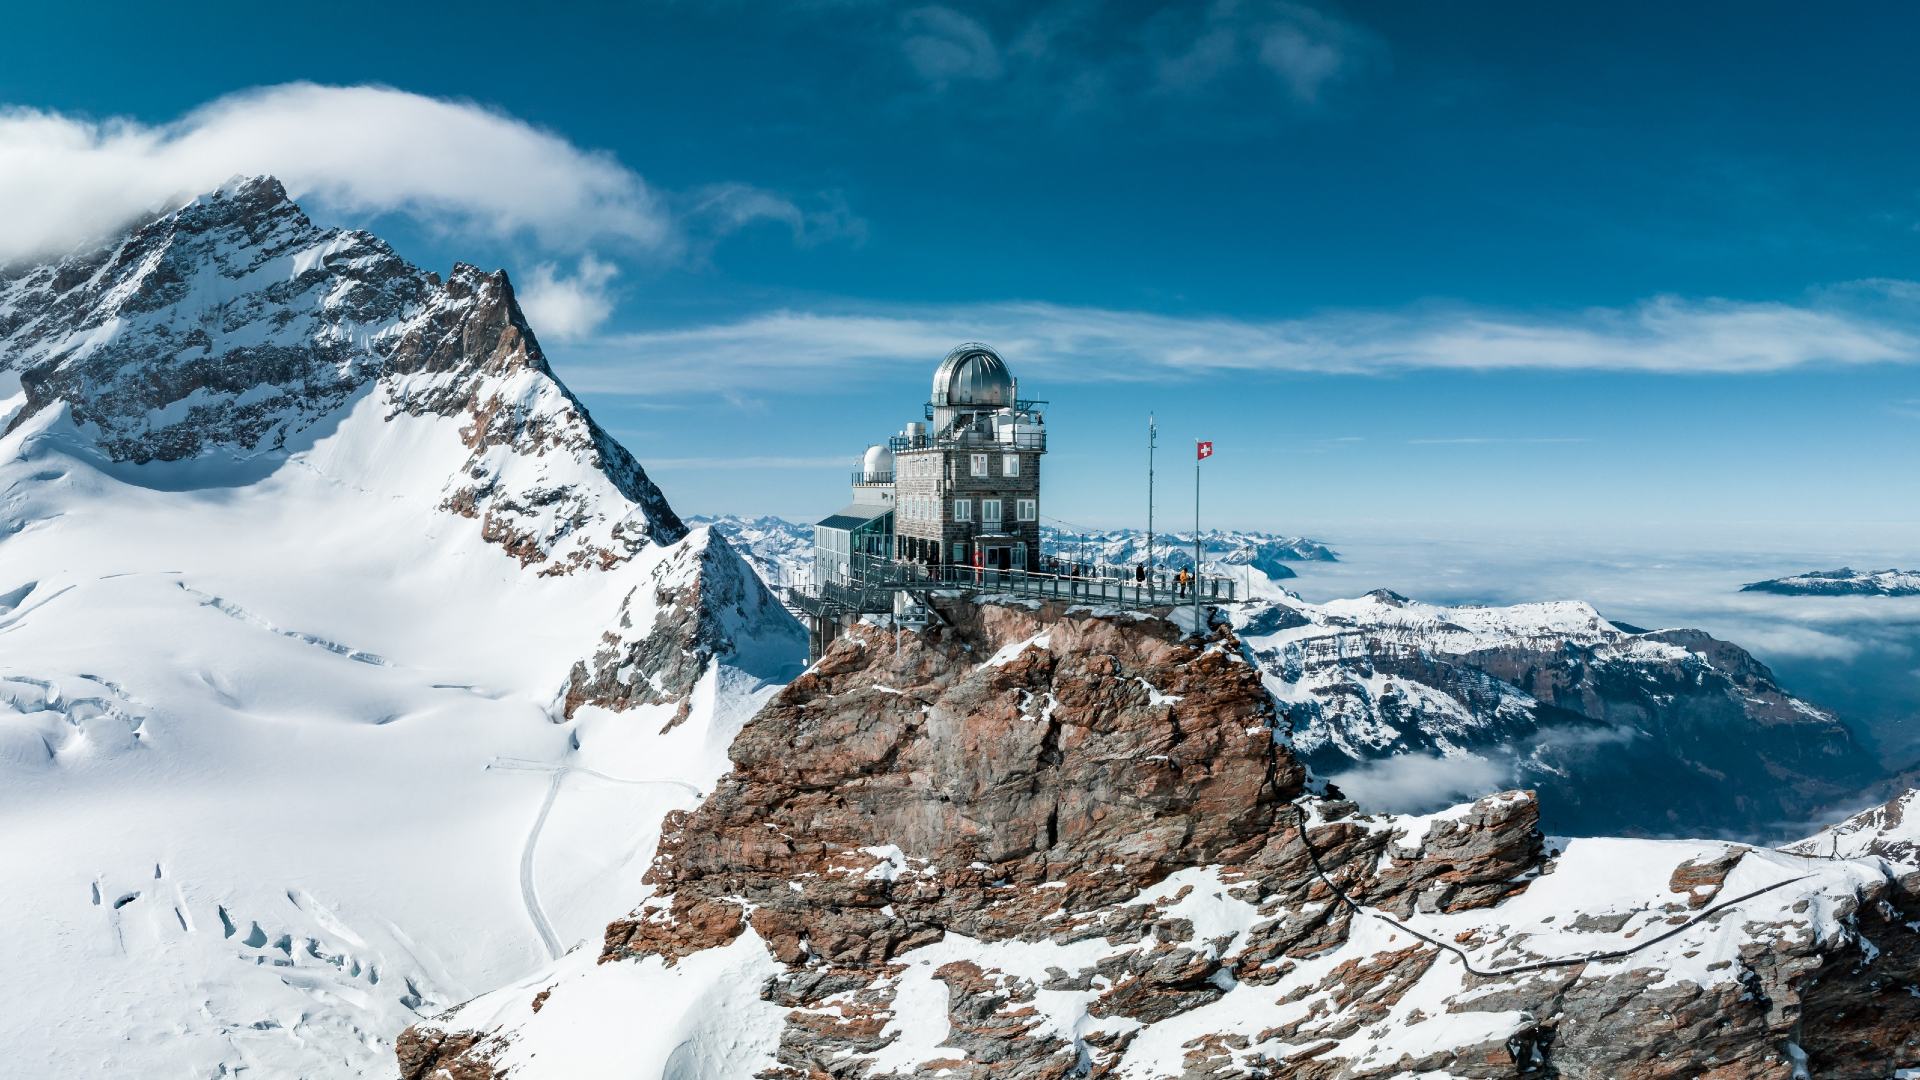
(1625, 270)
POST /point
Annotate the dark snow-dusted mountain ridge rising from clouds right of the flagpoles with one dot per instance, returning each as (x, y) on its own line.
(1562, 700)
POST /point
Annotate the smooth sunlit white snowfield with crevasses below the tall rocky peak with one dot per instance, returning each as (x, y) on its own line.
(276, 741)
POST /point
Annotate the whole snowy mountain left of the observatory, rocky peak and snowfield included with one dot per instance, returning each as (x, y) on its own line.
(300, 551)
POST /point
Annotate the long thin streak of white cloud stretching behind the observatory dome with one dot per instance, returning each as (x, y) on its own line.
(1664, 335)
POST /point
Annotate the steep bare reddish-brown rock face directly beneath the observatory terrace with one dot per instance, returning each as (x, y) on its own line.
(1097, 760)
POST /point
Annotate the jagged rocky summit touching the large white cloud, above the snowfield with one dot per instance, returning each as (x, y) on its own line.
(233, 328)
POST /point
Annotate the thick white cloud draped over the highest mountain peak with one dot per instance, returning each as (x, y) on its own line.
(356, 151)
